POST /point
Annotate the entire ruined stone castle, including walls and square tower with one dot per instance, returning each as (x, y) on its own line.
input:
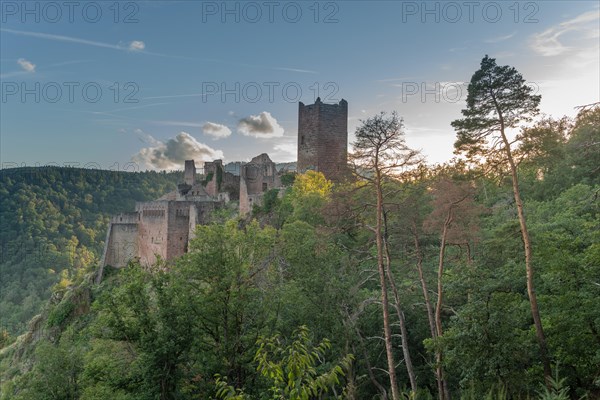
(162, 229)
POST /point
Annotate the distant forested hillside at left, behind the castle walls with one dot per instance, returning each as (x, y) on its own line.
(53, 223)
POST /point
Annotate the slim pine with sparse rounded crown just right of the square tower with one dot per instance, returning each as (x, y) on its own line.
(379, 152)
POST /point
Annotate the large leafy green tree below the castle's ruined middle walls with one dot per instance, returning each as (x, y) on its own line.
(228, 278)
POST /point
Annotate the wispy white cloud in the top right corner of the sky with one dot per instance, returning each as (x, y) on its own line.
(548, 43)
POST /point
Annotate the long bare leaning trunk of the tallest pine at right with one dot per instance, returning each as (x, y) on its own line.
(535, 312)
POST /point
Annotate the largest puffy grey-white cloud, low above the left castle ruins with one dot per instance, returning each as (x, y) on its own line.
(170, 155)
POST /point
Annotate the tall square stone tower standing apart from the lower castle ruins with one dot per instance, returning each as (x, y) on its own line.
(323, 138)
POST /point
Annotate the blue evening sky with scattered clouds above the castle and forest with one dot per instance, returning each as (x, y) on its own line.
(136, 85)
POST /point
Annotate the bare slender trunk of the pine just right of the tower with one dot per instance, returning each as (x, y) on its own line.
(382, 281)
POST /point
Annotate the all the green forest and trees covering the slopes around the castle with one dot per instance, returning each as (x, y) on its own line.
(475, 279)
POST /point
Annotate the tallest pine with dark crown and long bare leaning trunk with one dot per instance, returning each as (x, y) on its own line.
(498, 99)
